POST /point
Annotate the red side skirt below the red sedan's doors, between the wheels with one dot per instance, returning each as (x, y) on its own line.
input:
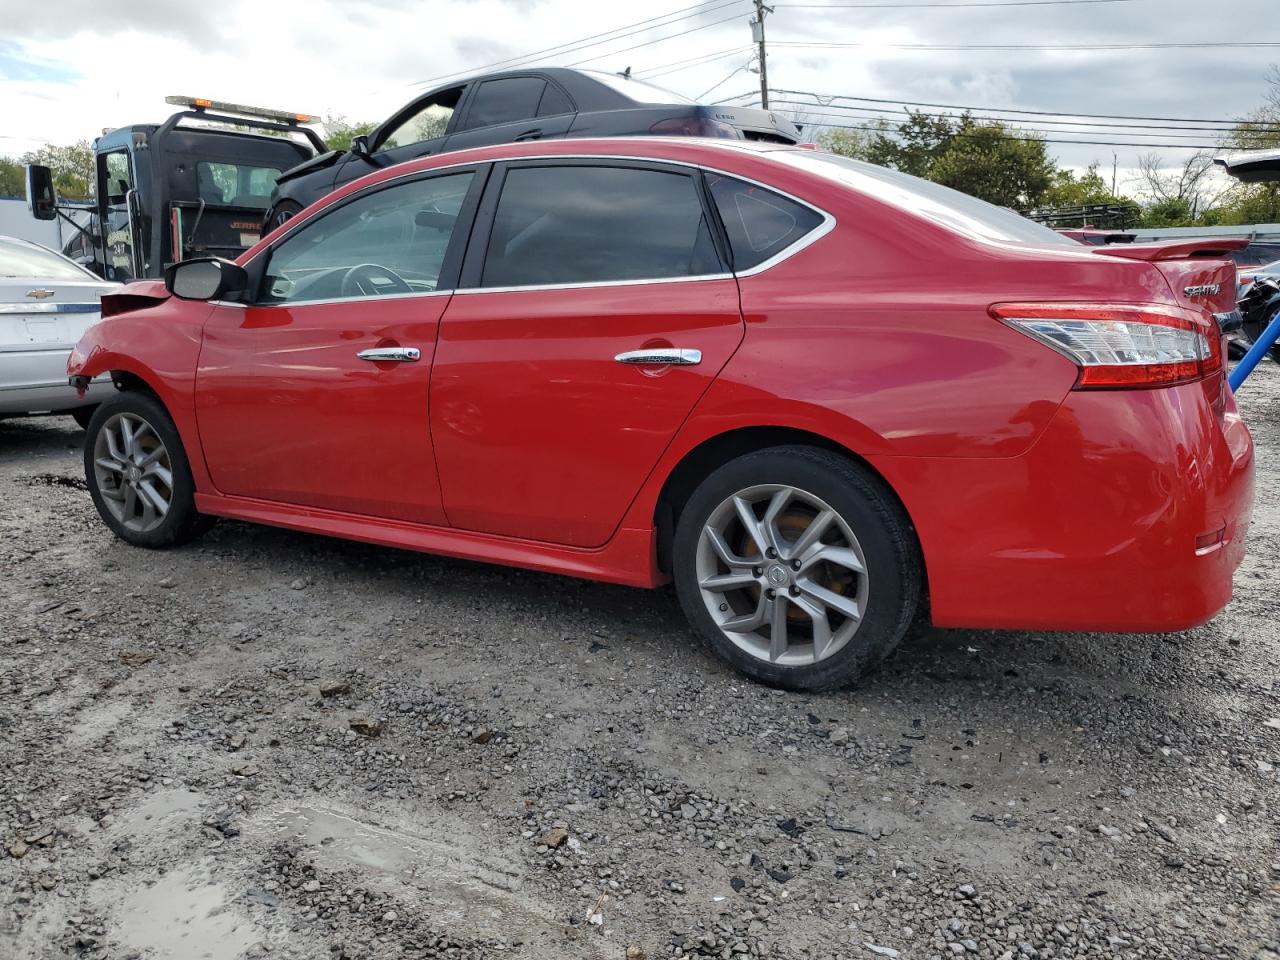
(629, 559)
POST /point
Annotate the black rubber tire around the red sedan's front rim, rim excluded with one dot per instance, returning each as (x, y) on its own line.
(181, 523)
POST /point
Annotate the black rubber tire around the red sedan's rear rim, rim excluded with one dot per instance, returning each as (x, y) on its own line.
(883, 532)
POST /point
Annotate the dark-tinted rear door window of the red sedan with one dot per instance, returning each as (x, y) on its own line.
(597, 225)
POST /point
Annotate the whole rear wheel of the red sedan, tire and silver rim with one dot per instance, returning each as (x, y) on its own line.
(798, 566)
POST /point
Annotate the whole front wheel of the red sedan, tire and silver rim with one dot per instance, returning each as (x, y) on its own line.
(139, 474)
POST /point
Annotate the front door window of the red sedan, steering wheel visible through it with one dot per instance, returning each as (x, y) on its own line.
(383, 244)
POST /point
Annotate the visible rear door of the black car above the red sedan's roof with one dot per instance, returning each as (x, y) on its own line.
(513, 109)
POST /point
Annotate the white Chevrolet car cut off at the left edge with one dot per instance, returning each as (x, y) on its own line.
(47, 304)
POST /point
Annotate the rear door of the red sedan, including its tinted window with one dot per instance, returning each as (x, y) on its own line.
(593, 313)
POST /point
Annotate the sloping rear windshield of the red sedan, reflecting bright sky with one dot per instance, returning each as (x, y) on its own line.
(945, 207)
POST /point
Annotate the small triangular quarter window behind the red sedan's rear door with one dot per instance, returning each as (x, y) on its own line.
(761, 223)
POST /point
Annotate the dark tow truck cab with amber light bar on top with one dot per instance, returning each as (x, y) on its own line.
(196, 185)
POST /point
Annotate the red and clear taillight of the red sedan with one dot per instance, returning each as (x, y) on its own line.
(1122, 346)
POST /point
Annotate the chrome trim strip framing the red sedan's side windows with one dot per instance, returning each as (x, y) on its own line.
(817, 234)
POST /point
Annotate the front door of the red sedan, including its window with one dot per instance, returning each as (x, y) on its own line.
(316, 394)
